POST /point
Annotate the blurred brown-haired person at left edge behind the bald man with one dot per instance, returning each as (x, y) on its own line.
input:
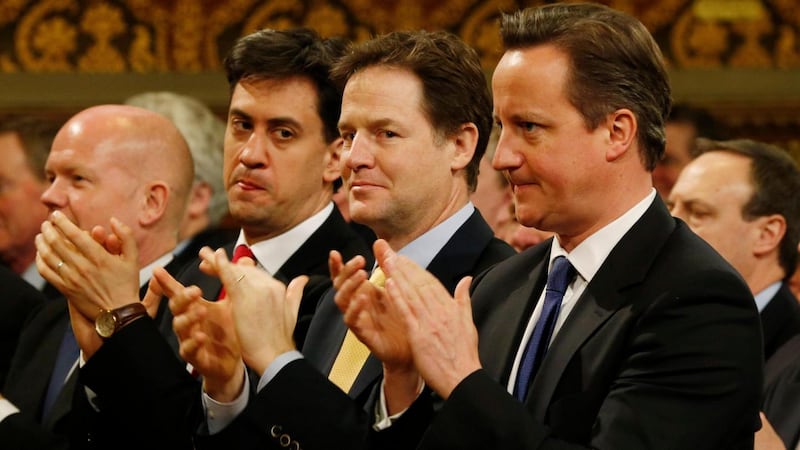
(24, 146)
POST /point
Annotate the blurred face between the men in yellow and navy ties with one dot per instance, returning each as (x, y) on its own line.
(495, 201)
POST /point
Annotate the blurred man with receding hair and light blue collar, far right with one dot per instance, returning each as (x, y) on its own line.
(735, 195)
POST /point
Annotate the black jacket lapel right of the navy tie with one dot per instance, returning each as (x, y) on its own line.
(626, 266)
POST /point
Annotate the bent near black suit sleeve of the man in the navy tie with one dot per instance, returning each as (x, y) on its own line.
(689, 374)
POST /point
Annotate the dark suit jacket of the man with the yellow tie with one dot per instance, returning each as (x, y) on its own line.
(302, 405)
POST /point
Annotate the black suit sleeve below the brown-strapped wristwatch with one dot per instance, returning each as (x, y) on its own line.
(144, 393)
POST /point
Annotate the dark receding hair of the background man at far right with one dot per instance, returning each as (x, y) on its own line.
(776, 189)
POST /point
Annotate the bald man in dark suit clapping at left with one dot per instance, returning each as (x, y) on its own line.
(106, 162)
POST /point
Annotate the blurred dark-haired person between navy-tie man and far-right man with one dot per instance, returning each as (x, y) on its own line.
(684, 125)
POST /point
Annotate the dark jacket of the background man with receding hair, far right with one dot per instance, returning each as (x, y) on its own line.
(780, 320)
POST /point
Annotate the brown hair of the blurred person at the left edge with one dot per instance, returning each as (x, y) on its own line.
(36, 135)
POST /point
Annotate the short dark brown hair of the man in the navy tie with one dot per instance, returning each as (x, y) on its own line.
(615, 63)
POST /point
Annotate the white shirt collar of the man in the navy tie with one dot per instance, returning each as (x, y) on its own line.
(590, 254)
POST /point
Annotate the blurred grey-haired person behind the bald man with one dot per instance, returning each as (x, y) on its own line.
(208, 203)
